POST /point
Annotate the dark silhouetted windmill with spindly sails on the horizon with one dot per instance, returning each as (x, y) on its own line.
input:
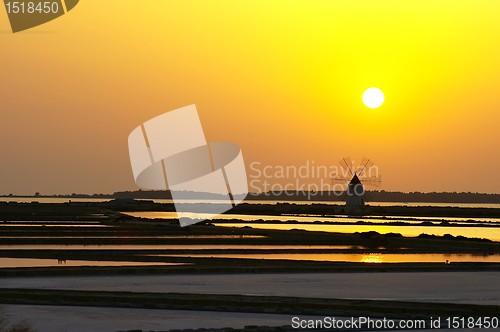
(354, 177)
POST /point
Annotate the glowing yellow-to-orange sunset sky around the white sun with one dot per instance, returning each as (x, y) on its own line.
(283, 79)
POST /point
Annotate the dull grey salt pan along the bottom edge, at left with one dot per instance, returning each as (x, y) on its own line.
(85, 319)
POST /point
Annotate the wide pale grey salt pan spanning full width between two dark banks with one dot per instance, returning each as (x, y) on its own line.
(451, 287)
